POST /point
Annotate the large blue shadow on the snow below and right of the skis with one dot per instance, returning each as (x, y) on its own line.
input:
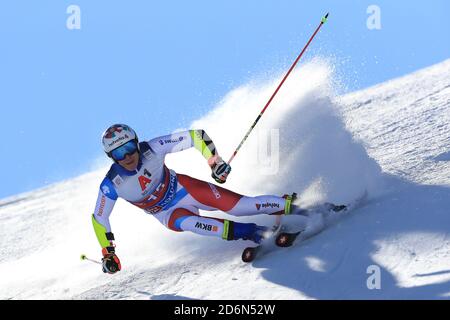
(321, 268)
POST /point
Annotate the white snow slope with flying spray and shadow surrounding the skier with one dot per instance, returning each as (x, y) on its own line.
(392, 140)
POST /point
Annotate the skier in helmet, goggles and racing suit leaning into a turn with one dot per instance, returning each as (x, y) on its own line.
(140, 176)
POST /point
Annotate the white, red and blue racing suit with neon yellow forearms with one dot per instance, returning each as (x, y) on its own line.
(175, 199)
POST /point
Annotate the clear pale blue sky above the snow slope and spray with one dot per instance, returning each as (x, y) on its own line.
(158, 65)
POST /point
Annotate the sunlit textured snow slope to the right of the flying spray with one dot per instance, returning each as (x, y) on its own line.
(414, 107)
